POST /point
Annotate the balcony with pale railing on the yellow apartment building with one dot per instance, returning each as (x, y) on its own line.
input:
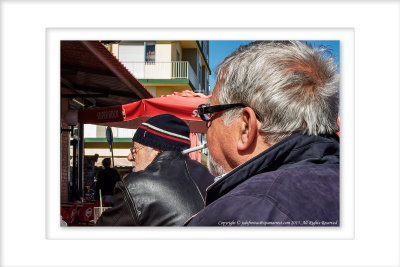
(163, 70)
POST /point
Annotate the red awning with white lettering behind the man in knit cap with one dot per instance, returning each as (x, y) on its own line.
(183, 105)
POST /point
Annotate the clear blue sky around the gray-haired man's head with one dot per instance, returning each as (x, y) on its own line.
(221, 49)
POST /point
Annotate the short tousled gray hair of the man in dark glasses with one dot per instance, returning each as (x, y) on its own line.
(292, 86)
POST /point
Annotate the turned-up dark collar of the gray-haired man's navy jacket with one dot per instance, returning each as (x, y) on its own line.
(298, 149)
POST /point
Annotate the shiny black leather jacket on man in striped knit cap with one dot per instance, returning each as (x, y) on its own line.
(167, 192)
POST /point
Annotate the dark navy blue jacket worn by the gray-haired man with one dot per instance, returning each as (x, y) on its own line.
(293, 183)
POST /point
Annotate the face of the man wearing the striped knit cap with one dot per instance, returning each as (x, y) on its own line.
(142, 156)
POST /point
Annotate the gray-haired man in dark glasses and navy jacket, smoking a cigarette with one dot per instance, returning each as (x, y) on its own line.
(272, 123)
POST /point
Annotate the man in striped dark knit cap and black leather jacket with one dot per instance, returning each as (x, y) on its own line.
(166, 187)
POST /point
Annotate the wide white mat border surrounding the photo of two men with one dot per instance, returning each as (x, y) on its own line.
(30, 136)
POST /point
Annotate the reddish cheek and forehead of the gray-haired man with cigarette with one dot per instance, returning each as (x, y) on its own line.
(220, 141)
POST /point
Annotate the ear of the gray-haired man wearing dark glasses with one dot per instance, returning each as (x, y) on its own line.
(248, 128)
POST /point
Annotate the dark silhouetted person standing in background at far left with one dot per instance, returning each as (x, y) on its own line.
(106, 180)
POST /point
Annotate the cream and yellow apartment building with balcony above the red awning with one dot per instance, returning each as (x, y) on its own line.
(164, 67)
